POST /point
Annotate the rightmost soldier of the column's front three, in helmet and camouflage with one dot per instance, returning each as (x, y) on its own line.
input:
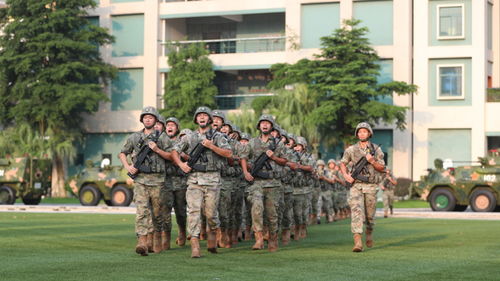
(264, 192)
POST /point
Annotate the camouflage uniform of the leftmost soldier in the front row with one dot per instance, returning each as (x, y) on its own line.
(147, 187)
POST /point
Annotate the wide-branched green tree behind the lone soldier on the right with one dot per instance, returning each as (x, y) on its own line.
(344, 78)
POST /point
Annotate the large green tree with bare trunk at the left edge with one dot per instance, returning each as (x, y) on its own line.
(51, 72)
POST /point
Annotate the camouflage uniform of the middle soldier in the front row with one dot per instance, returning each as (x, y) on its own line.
(203, 187)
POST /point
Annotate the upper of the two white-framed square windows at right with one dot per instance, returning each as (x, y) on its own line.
(450, 22)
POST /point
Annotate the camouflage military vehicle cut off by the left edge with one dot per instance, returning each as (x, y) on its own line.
(26, 178)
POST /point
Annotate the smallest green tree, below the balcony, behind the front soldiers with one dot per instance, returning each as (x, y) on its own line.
(189, 82)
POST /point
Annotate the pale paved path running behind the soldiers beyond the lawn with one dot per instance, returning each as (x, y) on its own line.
(103, 209)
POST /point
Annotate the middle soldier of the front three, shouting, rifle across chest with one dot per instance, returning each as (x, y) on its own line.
(204, 181)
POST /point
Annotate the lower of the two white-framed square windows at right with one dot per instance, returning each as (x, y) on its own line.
(450, 81)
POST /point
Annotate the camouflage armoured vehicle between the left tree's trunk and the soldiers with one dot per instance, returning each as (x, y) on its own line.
(110, 183)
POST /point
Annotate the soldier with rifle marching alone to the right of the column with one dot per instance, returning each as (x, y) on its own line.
(363, 195)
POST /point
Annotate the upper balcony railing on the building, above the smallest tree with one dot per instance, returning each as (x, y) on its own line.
(239, 45)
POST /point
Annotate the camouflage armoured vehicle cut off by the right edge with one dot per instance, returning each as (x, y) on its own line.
(453, 189)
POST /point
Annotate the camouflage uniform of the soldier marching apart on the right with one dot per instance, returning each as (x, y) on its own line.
(363, 196)
